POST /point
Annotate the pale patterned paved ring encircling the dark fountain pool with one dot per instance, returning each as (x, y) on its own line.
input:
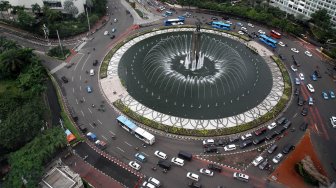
(113, 89)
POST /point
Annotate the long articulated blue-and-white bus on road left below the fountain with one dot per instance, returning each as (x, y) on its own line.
(138, 132)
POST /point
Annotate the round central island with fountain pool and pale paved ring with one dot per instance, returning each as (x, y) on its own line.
(231, 85)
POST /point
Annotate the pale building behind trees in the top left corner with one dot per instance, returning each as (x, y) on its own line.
(52, 4)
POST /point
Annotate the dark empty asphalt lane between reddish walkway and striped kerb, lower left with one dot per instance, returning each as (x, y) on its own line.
(119, 173)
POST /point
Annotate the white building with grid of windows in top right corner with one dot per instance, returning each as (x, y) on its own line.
(306, 7)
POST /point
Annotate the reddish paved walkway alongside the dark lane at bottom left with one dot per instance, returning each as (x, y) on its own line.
(90, 174)
